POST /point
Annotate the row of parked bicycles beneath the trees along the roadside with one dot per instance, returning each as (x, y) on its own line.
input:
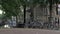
(42, 25)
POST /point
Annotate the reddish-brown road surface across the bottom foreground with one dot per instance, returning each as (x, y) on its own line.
(28, 31)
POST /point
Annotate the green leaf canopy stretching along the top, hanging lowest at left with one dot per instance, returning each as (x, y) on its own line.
(12, 7)
